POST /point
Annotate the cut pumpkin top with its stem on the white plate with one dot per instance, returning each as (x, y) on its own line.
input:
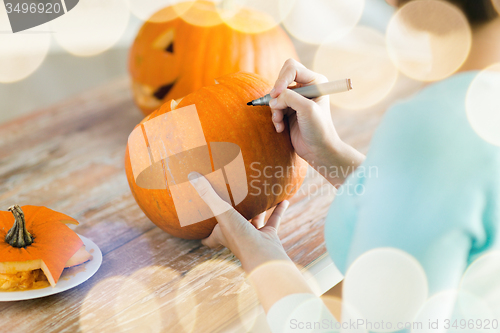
(34, 238)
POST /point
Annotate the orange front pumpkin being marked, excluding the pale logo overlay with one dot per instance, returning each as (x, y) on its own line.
(273, 170)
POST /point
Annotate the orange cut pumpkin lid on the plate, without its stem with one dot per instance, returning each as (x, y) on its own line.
(55, 246)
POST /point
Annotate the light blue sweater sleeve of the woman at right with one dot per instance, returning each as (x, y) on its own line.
(429, 186)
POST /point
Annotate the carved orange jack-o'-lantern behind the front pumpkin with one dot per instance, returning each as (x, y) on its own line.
(171, 59)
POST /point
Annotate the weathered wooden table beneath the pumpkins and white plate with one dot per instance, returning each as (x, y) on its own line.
(70, 158)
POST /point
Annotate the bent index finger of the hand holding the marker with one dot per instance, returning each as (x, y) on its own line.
(294, 71)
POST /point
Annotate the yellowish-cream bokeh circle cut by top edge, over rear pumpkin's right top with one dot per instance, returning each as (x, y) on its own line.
(254, 16)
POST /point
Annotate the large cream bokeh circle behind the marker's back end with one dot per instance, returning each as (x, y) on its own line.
(362, 57)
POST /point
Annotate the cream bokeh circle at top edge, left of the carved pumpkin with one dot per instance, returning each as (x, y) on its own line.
(91, 27)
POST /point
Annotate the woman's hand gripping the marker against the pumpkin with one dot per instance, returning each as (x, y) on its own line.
(311, 127)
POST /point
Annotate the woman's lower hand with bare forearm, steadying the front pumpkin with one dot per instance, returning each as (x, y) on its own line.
(258, 246)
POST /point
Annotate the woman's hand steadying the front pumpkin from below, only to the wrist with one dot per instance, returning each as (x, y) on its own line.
(253, 243)
